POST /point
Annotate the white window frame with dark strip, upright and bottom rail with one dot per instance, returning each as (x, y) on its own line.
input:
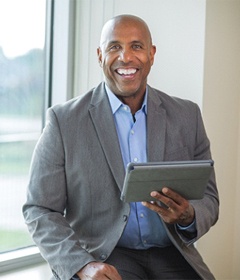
(60, 26)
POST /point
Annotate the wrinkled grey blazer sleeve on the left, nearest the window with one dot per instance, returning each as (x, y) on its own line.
(46, 202)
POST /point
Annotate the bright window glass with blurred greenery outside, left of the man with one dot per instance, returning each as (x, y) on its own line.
(22, 39)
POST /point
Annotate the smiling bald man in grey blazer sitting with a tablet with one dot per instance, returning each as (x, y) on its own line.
(73, 208)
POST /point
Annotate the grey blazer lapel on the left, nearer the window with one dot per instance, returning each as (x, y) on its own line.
(103, 120)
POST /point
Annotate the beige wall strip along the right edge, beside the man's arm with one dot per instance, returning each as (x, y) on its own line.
(221, 111)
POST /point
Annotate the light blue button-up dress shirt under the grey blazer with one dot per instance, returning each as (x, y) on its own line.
(144, 228)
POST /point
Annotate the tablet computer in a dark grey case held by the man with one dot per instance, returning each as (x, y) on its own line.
(188, 178)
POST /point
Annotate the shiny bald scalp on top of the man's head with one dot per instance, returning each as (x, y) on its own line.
(124, 21)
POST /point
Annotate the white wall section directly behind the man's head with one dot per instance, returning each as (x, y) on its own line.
(177, 27)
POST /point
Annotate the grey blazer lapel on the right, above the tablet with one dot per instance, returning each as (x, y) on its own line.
(156, 127)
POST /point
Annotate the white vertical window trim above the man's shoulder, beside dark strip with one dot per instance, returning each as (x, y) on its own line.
(63, 51)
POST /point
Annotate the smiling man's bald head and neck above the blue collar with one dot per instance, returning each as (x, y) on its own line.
(126, 55)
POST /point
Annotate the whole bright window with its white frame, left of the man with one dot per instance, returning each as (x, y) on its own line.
(34, 69)
